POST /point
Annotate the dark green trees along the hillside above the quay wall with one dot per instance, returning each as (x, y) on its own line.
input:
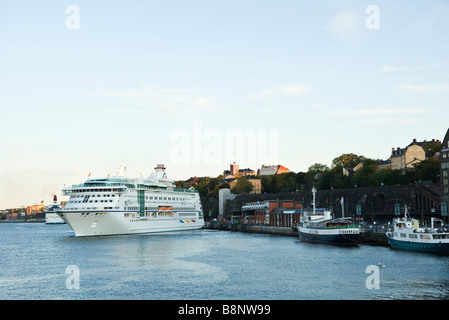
(326, 178)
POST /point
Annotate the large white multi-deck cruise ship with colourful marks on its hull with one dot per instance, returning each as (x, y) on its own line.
(119, 205)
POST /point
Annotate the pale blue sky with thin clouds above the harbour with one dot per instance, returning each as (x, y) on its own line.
(198, 84)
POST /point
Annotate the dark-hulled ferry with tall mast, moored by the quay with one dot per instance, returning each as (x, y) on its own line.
(320, 227)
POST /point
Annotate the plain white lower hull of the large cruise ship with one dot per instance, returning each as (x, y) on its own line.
(117, 223)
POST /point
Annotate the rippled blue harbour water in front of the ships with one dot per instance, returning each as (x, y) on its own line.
(205, 264)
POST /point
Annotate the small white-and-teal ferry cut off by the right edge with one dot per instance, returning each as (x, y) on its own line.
(407, 234)
